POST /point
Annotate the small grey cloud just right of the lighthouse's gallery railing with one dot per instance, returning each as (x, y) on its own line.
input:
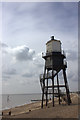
(72, 55)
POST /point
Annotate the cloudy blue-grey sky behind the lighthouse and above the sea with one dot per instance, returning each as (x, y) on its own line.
(26, 27)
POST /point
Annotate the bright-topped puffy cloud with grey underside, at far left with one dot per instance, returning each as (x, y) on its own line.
(19, 53)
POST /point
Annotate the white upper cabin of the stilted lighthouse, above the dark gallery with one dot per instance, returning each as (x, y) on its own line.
(53, 46)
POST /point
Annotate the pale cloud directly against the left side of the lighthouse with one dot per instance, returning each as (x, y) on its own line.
(34, 68)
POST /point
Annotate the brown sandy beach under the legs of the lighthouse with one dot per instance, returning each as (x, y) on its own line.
(34, 110)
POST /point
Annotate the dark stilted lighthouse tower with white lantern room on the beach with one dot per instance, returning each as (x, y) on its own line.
(55, 61)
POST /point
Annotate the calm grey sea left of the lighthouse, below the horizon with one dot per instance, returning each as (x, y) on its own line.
(14, 100)
